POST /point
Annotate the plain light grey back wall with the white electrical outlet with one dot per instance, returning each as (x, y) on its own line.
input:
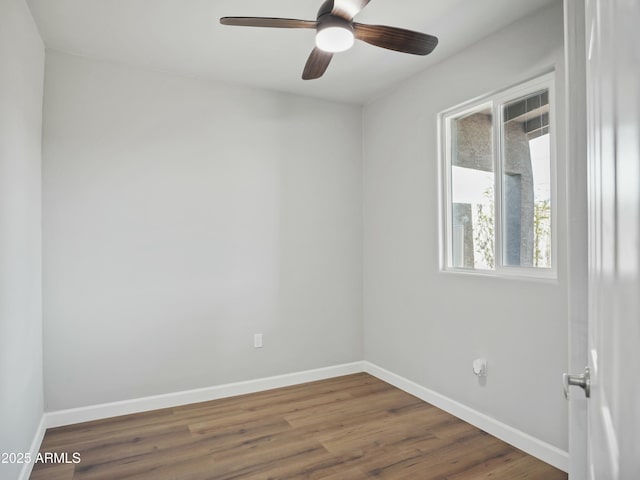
(183, 216)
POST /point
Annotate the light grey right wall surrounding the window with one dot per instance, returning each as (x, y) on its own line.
(426, 325)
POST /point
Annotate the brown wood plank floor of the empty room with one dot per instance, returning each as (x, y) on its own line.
(345, 428)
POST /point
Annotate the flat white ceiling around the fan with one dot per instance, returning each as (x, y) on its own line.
(185, 37)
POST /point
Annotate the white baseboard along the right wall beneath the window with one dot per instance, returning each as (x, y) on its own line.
(525, 442)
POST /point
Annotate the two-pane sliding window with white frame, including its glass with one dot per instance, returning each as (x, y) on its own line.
(498, 175)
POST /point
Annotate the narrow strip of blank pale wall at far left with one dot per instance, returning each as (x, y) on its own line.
(21, 78)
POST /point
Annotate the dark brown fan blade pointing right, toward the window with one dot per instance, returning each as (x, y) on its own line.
(397, 39)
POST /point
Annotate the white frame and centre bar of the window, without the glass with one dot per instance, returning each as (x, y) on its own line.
(495, 101)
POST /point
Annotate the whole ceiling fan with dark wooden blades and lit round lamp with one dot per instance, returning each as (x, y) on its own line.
(336, 32)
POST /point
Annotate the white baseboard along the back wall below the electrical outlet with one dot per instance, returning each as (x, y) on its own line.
(106, 410)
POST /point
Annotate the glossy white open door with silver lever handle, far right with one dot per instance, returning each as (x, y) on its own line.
(613, 131)
